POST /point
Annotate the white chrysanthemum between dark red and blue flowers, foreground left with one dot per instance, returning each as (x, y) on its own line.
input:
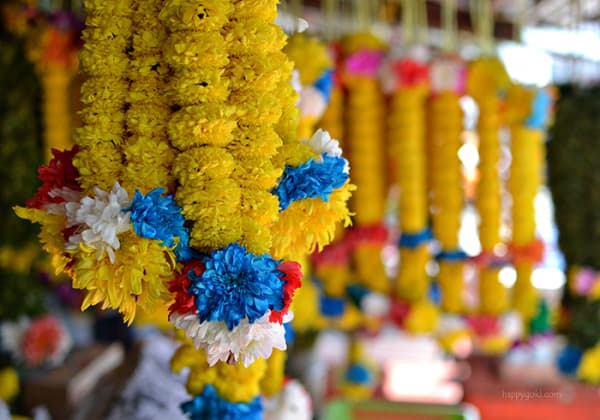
(102, 219)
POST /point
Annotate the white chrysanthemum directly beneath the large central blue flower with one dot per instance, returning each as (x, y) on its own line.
(245, 343)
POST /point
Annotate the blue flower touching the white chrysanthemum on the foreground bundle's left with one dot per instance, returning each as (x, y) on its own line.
(155, 216)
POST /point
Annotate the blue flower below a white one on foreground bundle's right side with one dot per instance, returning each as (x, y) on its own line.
(311, 179)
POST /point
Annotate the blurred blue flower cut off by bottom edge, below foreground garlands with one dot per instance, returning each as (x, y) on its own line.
(209, 405)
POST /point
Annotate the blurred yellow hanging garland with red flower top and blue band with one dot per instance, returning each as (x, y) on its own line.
(406, 79)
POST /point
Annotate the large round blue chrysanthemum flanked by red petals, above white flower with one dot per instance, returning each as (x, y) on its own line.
(236, 284)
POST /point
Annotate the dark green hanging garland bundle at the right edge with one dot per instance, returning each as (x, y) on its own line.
(574, 180)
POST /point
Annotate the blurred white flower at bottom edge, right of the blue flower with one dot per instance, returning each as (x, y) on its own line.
(292, 403)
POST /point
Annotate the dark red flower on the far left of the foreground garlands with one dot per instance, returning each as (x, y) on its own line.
(59, 173)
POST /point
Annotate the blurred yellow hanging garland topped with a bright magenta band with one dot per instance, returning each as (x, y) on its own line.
(364, 121)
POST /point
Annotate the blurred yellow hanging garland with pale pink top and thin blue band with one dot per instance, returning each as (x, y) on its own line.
(447, 77)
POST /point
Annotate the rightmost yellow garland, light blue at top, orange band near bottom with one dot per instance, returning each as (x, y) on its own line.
(527, 138)
